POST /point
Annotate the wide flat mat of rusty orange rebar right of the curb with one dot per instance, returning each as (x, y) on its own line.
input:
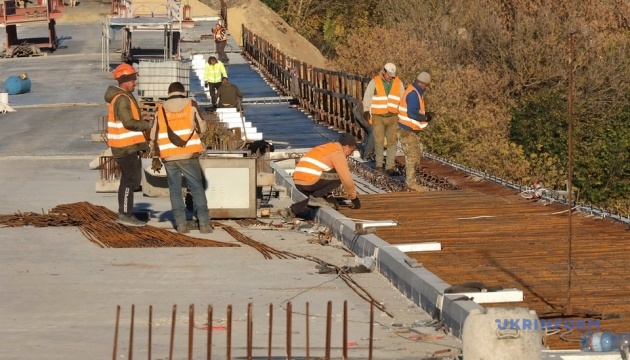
(492, 234)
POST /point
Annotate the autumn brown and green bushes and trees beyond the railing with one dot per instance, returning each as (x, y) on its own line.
(501, 87)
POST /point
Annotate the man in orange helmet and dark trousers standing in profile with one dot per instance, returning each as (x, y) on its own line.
(125, 137)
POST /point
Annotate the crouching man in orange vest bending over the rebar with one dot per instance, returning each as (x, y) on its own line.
(320, 171)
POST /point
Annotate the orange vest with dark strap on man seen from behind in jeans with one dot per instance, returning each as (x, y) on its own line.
(179, 122)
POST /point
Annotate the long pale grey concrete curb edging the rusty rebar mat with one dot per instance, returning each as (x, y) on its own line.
(421, 286)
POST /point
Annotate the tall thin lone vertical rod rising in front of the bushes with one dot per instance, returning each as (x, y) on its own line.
(570, 174)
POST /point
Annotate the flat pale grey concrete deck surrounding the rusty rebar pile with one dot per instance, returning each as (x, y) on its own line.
(59, 292)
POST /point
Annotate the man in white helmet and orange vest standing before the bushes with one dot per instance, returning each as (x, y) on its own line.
(380, 103)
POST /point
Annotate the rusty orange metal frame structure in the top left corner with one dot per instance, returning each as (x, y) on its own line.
(21, 12)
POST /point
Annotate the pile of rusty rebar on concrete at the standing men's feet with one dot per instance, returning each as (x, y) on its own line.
(98, 224)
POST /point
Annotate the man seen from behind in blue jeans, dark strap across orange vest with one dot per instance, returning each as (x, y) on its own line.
(177, 134)
